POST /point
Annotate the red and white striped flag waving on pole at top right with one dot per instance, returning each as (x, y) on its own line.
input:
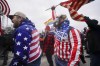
(73, 6)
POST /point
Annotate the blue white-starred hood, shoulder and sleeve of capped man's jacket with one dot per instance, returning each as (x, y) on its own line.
(22, 39)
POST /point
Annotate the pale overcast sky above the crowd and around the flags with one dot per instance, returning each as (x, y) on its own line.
(35, 11)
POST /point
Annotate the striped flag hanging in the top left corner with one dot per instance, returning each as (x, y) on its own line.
(4, 10)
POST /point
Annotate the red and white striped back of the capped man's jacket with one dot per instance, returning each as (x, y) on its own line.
(35, 50)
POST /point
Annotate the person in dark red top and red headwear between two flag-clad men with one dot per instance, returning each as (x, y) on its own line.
(48, 45)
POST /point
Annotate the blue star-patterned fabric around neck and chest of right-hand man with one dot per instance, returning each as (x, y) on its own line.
(62, 32)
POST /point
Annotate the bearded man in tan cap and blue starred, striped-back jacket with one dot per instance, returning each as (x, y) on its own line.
(26, 46)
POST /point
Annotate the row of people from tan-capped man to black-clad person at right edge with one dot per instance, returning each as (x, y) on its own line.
(65, 42)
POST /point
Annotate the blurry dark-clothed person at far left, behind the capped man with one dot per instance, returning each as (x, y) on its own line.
(7, 43)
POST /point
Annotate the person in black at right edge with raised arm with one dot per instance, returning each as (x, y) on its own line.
(93, 41)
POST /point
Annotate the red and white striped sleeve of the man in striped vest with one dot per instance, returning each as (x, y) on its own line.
(75, 51)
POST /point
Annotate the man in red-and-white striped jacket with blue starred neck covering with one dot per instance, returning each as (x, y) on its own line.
(67, 47)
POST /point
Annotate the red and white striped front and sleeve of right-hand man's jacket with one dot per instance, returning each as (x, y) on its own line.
(69, 50)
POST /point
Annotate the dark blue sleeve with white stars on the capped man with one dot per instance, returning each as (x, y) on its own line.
(21, 48)
